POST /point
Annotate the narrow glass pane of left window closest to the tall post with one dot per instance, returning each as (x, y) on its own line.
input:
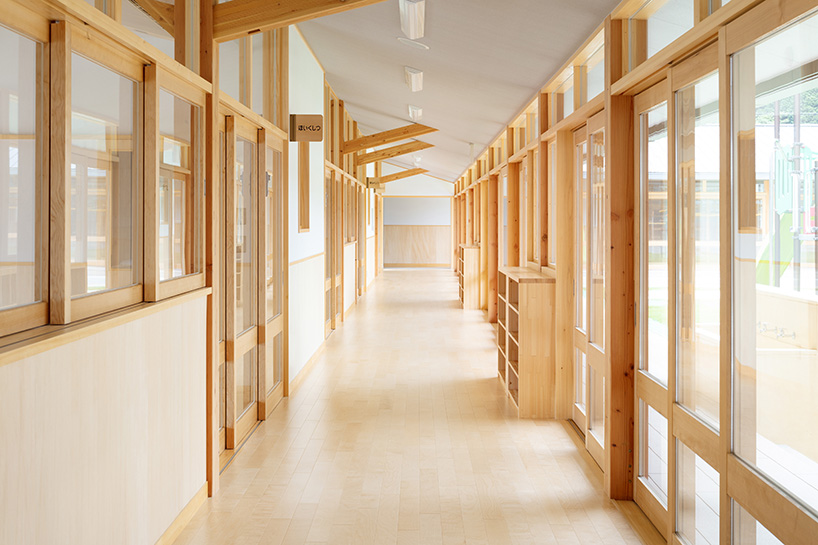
(177, 248)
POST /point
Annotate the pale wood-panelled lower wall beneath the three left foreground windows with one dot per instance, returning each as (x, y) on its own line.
(103, 438)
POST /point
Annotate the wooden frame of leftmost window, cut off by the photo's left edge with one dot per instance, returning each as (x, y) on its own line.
(20, 318)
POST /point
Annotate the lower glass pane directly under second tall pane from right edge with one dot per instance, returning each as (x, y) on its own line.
(697, 492)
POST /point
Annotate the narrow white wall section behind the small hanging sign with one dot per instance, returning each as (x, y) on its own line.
(306, 319)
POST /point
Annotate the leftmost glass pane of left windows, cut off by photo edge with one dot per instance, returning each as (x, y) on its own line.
(20, 170)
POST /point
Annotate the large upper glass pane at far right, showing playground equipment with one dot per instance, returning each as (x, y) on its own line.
(775, 123)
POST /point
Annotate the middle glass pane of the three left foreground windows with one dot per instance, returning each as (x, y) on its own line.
(104, 179)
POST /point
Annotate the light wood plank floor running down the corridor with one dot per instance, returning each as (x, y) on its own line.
(401, 434)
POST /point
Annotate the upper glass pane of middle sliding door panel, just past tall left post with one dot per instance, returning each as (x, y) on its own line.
(245, 242)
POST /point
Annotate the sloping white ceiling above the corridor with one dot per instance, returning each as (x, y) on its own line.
(487, 60)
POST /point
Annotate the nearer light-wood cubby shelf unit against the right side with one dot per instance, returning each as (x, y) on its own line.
(526, 340)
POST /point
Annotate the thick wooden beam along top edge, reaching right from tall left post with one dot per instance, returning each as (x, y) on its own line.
(239, 18)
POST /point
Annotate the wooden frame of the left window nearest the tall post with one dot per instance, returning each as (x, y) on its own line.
(156, 79)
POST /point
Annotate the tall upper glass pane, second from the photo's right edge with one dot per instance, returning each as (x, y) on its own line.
(697, 158)
